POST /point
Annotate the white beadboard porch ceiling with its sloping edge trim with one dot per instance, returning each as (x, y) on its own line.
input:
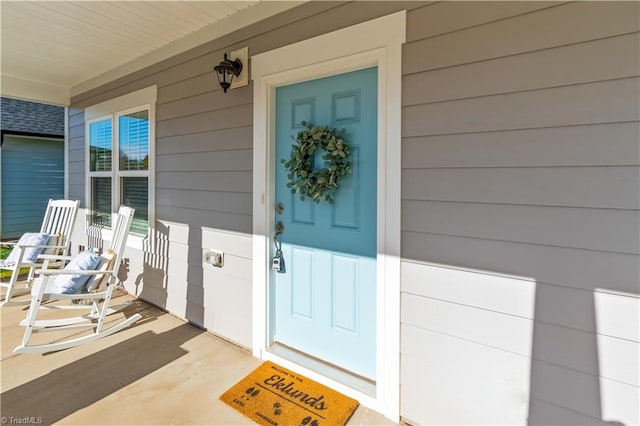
(52, 50)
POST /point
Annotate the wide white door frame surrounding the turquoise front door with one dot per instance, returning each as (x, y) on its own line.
(373, 43)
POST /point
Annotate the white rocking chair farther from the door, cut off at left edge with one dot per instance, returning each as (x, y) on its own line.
(54, 239)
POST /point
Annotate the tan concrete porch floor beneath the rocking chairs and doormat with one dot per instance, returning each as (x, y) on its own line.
(159, 371)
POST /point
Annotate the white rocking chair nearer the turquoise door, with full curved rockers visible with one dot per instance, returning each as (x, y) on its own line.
(97, 292)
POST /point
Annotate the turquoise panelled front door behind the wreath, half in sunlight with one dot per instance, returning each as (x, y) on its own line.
(324, 301)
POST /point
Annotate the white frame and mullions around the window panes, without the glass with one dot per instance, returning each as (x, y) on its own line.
(113, 109)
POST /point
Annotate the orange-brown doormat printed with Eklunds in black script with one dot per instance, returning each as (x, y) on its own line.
(274, 396)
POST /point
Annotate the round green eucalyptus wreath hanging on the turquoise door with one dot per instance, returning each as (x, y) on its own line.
(317, 184)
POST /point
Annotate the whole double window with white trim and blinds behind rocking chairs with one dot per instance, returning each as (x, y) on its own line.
(120, 147)
